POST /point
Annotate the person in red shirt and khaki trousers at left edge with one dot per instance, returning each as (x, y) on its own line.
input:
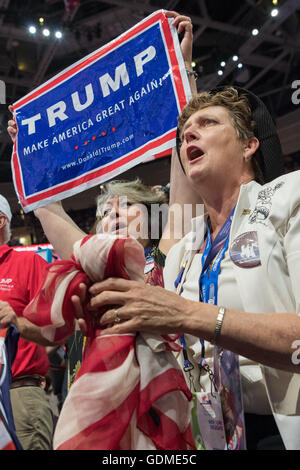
(21, 274)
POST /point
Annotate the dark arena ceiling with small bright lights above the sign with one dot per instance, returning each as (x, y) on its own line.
(270, 60)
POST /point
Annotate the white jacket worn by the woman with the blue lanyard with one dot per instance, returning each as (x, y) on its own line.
(273, 211)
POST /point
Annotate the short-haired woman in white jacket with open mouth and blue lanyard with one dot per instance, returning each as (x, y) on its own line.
(246, 297)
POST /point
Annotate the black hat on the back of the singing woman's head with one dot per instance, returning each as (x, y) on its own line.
(265, 131)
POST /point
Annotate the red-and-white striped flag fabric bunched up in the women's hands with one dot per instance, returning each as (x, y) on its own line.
(129, 392)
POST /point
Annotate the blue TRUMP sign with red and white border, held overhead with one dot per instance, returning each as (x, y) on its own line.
(101, 116)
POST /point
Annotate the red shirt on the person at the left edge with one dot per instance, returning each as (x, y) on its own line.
(21, 275)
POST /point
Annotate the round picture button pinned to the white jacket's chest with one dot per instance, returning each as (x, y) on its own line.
(244, 250)
